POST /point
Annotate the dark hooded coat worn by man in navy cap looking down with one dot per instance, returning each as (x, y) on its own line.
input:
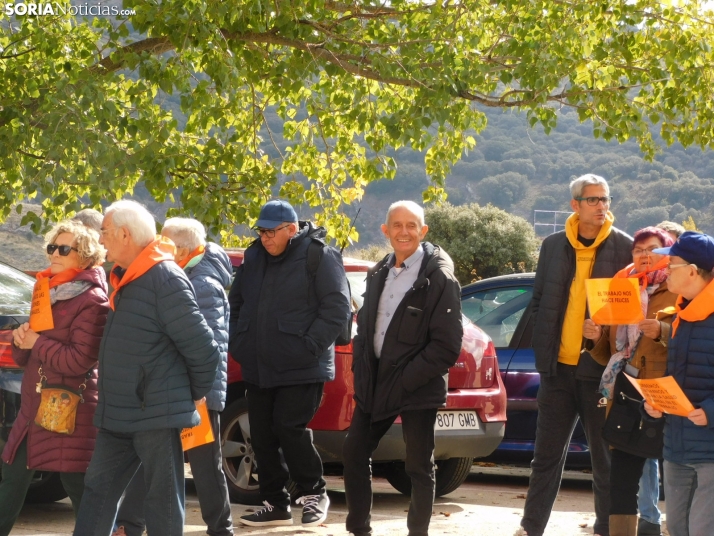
(283, 322)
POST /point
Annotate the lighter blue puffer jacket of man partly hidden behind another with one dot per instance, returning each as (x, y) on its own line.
(210, 277)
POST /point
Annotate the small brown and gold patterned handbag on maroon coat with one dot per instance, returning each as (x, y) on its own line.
(58, 405)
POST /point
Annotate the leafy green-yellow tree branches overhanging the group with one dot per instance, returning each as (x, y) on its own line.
(82, 121)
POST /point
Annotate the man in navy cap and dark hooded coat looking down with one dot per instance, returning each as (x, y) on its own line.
(283, 325)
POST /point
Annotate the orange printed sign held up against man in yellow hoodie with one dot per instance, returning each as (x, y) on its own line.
(614, 301)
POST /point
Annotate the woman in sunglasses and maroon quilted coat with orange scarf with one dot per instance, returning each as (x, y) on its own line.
(64, 353)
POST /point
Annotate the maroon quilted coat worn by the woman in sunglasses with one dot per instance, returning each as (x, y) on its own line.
(66, 353)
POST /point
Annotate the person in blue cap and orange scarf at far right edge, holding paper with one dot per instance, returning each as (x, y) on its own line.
(689, 441)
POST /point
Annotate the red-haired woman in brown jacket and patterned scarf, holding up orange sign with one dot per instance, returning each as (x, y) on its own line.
(644, 347)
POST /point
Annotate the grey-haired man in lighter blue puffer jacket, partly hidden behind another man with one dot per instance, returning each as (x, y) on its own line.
(209, 270)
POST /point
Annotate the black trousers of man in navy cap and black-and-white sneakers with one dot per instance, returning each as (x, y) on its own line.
(278, 418)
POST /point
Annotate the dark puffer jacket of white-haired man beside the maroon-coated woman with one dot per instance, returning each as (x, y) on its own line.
(157, 355)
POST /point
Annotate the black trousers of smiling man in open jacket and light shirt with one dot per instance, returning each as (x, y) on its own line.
(362, 440)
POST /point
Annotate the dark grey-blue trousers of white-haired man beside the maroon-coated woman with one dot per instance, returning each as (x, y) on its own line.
(115, 460)
